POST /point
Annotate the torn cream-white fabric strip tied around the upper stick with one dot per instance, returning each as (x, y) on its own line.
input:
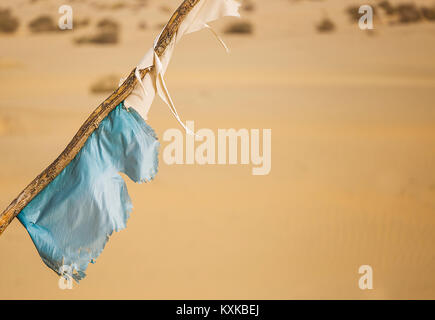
(143, 94)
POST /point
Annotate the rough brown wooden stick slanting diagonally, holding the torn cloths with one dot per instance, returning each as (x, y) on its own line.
(92, 123)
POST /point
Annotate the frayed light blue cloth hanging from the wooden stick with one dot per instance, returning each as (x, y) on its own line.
(71, 220)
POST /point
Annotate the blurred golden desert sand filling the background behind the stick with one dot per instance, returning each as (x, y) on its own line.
(352, 115)
